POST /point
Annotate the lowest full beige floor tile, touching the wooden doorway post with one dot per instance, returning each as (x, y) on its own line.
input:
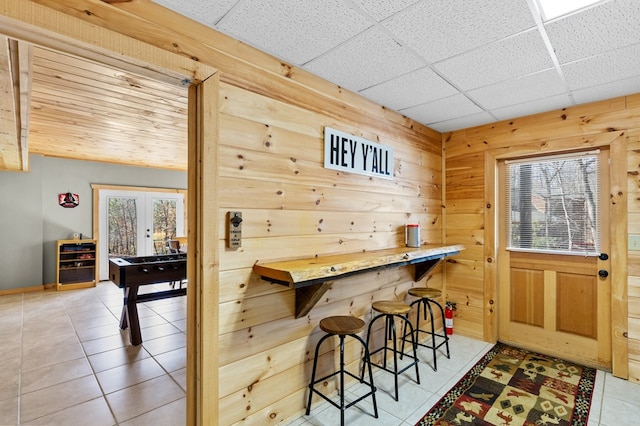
(144, 397)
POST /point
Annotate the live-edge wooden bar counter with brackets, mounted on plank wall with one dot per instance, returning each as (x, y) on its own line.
(312, 277)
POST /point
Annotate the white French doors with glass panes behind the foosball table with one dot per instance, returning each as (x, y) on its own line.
(137, 223)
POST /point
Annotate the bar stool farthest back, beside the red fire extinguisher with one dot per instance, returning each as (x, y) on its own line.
(427, 297)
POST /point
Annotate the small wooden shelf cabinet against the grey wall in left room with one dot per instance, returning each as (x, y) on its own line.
(75, 264)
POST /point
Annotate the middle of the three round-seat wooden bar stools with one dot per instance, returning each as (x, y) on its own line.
(389, 310)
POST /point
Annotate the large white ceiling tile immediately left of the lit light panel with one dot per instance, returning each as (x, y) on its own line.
(439, 29)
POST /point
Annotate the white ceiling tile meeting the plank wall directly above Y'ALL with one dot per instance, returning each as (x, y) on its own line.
(417, 87)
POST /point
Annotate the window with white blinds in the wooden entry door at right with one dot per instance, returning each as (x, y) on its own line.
(553, 204)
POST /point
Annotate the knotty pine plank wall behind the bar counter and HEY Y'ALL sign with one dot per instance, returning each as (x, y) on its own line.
(271, 169)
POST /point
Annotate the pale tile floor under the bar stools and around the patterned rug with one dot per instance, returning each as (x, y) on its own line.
(615, 402)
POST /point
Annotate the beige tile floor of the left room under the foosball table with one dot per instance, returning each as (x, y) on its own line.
(66, 362)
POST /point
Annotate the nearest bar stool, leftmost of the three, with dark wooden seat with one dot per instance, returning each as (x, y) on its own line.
(342, 326)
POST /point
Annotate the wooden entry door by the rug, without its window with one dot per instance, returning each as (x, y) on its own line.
(558, 303)
